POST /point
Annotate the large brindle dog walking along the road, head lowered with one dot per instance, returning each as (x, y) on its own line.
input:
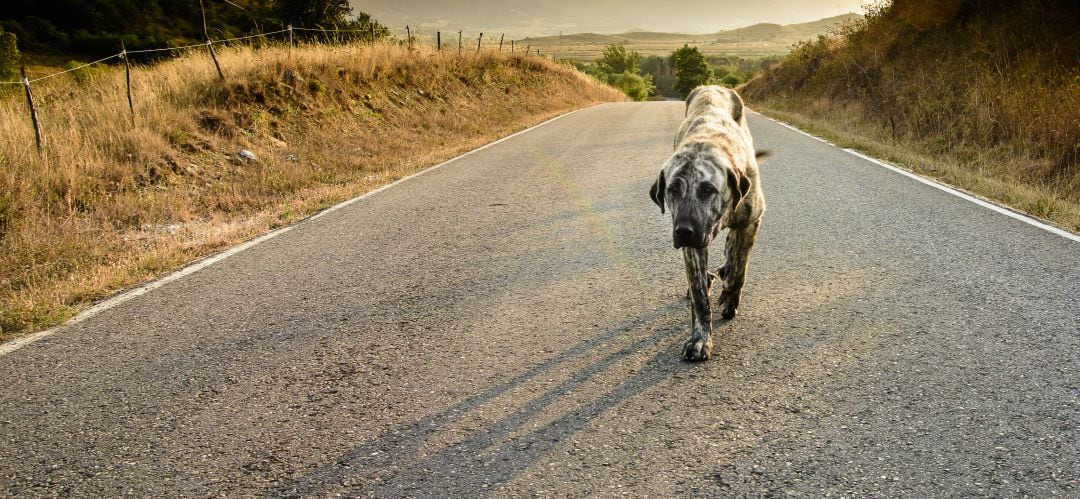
(711, 183)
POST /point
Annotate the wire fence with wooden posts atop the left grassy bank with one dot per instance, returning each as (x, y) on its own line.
(413, 37)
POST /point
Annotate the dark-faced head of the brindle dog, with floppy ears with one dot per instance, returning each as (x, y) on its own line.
(703, 190)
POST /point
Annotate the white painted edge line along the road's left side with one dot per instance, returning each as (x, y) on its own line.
(17, 344)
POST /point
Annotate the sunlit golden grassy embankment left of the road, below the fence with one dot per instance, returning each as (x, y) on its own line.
(111, 205)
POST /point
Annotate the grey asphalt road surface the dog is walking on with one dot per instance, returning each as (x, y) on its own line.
(510, 325)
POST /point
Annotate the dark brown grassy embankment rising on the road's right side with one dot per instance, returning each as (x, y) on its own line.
(982, 96)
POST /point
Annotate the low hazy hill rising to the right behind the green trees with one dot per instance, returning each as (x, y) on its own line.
(757, 41)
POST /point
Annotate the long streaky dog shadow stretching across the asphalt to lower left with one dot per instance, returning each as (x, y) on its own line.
(389, 465)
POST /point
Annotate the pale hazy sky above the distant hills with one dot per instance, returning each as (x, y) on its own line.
(531, 18)
